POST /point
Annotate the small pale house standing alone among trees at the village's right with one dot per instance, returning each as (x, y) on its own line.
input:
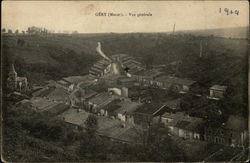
(217, 91)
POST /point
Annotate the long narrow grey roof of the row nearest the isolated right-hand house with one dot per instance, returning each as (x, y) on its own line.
(175, 80)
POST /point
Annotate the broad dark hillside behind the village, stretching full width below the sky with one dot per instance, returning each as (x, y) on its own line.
(54, 56)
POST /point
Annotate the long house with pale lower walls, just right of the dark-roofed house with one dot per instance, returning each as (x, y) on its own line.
(183, 125)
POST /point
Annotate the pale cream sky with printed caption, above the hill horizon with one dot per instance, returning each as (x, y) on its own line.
(81, 15)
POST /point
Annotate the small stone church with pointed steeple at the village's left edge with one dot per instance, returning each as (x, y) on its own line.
(15, 82)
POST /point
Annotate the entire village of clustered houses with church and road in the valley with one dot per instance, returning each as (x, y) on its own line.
(127, 98)
